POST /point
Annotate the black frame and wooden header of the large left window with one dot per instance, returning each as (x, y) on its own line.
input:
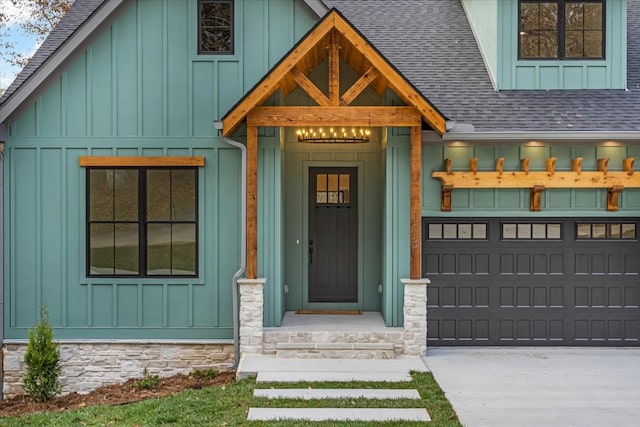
(142, 220)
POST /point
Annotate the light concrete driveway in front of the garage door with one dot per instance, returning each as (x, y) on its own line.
(540, 386)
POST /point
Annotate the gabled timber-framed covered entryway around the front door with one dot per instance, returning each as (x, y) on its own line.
(334, 79)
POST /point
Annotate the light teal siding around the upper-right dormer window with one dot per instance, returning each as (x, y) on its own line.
(610, 73)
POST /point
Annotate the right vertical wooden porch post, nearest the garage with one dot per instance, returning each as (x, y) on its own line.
(415, 207)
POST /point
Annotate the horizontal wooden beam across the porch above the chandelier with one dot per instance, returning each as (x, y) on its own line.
(334, 116)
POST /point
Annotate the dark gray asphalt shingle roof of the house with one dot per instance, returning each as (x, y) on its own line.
(431, 43)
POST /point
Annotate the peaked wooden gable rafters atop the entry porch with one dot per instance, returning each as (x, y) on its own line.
(354, 50)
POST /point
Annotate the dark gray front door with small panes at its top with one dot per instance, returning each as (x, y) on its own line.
(333, 235)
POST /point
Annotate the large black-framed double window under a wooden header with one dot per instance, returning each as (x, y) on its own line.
(142, 221)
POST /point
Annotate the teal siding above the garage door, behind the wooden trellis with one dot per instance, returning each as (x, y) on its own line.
(515, 202)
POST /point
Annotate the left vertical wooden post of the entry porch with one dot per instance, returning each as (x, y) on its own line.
(252, 202)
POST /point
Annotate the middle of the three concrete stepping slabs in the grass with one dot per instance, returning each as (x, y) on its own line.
(336, 393)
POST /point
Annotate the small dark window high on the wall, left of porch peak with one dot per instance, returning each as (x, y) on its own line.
(215, 26)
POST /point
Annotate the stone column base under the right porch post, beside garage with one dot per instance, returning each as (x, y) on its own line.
(415, 316)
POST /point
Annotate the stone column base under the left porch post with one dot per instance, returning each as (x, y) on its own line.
(251, 315)
